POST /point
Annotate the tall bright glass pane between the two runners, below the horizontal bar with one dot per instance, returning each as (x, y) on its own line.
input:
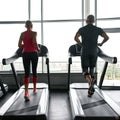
(58, 40)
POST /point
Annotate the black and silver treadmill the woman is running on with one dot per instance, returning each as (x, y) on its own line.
(37, 108)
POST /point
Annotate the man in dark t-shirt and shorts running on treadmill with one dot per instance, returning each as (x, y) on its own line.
(89, 43)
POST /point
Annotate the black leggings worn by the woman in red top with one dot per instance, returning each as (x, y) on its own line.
(30, 57)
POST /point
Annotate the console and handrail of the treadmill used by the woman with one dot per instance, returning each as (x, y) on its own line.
(42, 53)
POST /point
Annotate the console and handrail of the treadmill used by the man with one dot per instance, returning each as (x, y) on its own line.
(75, 50)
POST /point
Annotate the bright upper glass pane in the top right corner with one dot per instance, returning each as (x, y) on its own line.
(108, 8)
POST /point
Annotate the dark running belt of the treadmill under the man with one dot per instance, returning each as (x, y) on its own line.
(95, 105)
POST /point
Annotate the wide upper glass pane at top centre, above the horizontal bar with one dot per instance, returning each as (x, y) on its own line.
(62, 9)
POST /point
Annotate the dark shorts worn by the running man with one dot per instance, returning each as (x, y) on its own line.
(88, 61)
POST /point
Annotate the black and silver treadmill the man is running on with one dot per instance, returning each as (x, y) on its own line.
(99, 106)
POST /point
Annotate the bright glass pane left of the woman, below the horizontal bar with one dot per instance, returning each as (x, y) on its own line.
(10, 36)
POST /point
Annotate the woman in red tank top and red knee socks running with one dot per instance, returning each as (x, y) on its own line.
(28, 42)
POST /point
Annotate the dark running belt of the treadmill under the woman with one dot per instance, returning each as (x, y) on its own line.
(20, 107)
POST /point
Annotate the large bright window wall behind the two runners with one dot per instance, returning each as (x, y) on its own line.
(56, 22)
